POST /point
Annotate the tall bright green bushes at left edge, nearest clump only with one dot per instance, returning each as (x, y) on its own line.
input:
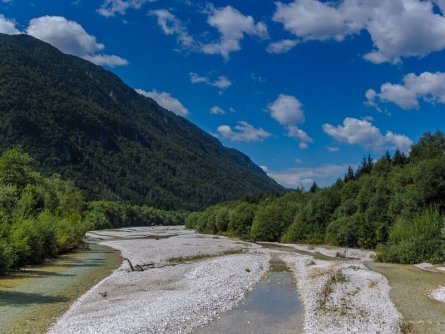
(39, 217)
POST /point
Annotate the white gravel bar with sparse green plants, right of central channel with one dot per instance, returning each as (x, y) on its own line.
(343, 297)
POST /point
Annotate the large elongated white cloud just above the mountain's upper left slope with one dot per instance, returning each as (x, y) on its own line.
(70, 37)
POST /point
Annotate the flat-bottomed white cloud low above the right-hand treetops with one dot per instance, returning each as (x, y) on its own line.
(363, 133)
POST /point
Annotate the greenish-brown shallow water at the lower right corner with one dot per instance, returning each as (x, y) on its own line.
(410, 288)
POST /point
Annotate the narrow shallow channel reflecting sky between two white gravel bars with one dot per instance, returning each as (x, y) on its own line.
(272, 307)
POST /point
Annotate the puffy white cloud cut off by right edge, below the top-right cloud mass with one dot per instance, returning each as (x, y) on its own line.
(428, 87)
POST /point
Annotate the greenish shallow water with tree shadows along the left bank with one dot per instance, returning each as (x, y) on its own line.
(32, 299)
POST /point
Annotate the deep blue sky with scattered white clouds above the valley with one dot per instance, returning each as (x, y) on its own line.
(304, 87)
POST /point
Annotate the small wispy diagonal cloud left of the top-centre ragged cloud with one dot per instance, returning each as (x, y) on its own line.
(170, 25)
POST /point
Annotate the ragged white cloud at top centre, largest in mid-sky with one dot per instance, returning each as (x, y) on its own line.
(232, 25)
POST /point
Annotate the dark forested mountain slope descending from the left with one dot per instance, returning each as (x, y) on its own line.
(82, 122)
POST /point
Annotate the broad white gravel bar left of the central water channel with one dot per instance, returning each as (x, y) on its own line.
(171, 299)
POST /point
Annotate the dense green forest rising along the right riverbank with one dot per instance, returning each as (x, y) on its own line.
(395, 205)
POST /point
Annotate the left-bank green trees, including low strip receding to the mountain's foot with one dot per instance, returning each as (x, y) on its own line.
(41, 217)
